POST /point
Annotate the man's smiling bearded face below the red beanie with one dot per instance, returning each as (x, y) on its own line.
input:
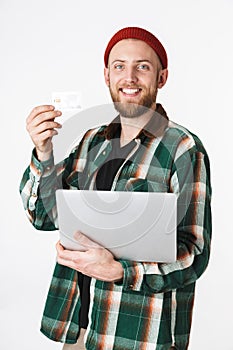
(132, 77)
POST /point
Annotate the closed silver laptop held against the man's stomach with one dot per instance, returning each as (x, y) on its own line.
(139, 226)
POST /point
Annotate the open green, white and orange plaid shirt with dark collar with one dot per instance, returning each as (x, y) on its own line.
(151, 308)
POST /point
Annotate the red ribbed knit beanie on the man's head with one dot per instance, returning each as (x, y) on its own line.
(140, 34)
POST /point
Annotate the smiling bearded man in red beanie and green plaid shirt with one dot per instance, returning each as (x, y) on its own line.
(131, 305)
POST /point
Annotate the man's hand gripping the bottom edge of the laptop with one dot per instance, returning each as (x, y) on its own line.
(95, 261)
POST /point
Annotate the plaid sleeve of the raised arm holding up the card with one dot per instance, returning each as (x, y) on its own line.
(41, 180)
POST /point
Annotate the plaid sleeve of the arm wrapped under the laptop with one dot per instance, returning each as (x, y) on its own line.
(190, 180)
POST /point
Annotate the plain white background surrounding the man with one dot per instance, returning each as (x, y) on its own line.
(59, 45)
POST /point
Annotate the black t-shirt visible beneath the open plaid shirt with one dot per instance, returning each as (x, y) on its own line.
(104, 180)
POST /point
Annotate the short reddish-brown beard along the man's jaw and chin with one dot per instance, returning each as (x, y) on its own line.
(133, 110)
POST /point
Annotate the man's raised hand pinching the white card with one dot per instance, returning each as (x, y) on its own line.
(41, 126)
